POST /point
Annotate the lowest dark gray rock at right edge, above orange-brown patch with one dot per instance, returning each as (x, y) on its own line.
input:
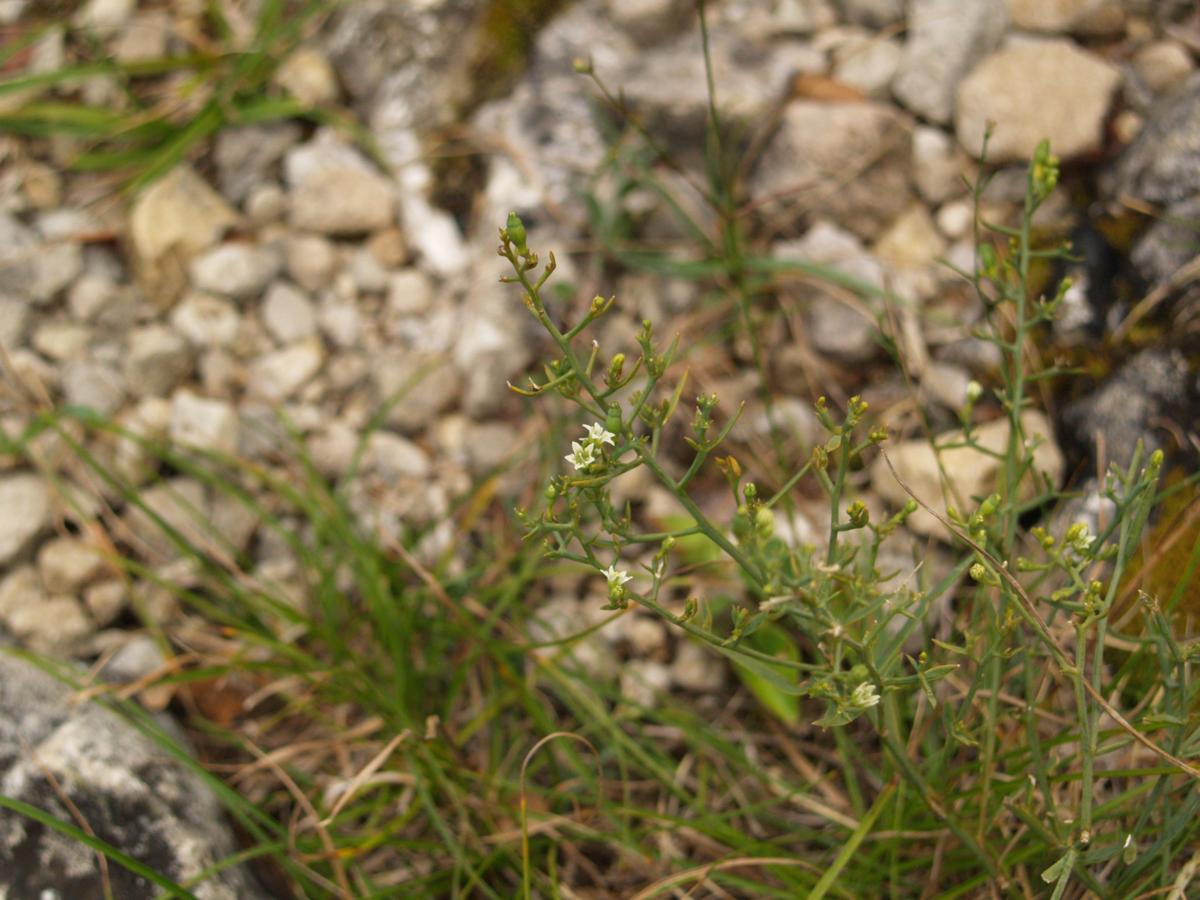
(1124, 410)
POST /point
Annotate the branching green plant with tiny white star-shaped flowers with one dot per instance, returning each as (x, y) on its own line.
(1012, 753)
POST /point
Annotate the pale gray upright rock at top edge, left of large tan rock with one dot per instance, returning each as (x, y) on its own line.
(946, 39)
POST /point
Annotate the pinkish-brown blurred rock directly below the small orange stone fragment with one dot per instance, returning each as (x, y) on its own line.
(849, 160)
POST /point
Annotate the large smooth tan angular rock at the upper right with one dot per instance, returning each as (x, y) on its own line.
(1034, 91)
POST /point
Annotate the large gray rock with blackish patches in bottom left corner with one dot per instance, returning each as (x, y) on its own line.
(133, 794)
